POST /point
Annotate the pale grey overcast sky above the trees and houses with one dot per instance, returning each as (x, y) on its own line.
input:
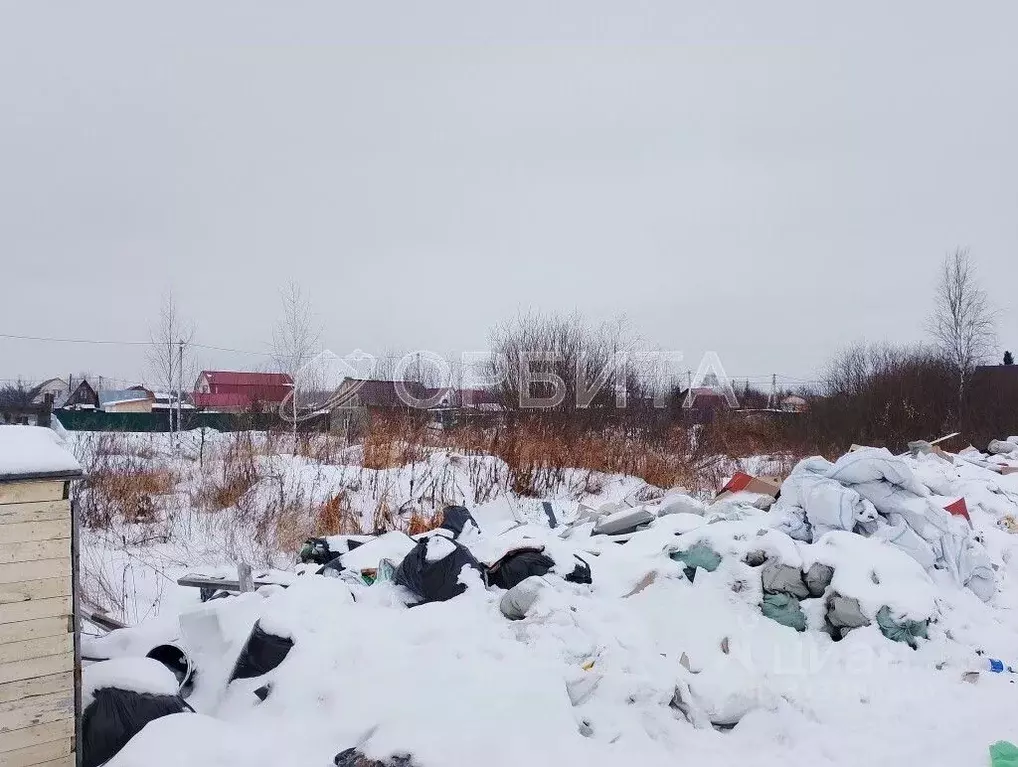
(767, 181)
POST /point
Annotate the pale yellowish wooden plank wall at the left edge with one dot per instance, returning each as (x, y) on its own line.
(37, 628)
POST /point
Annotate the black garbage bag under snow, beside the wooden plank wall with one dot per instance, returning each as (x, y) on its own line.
(115, 717)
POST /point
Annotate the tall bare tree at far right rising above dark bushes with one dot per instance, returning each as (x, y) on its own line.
(964, 322)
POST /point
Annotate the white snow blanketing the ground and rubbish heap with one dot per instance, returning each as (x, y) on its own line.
(644, 666)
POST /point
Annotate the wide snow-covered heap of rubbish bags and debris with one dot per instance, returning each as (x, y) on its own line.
(703, 633)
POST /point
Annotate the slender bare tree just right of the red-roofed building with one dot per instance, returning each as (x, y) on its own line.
(297, 342)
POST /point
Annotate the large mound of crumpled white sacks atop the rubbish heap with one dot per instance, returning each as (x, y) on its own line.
(876, 495)
